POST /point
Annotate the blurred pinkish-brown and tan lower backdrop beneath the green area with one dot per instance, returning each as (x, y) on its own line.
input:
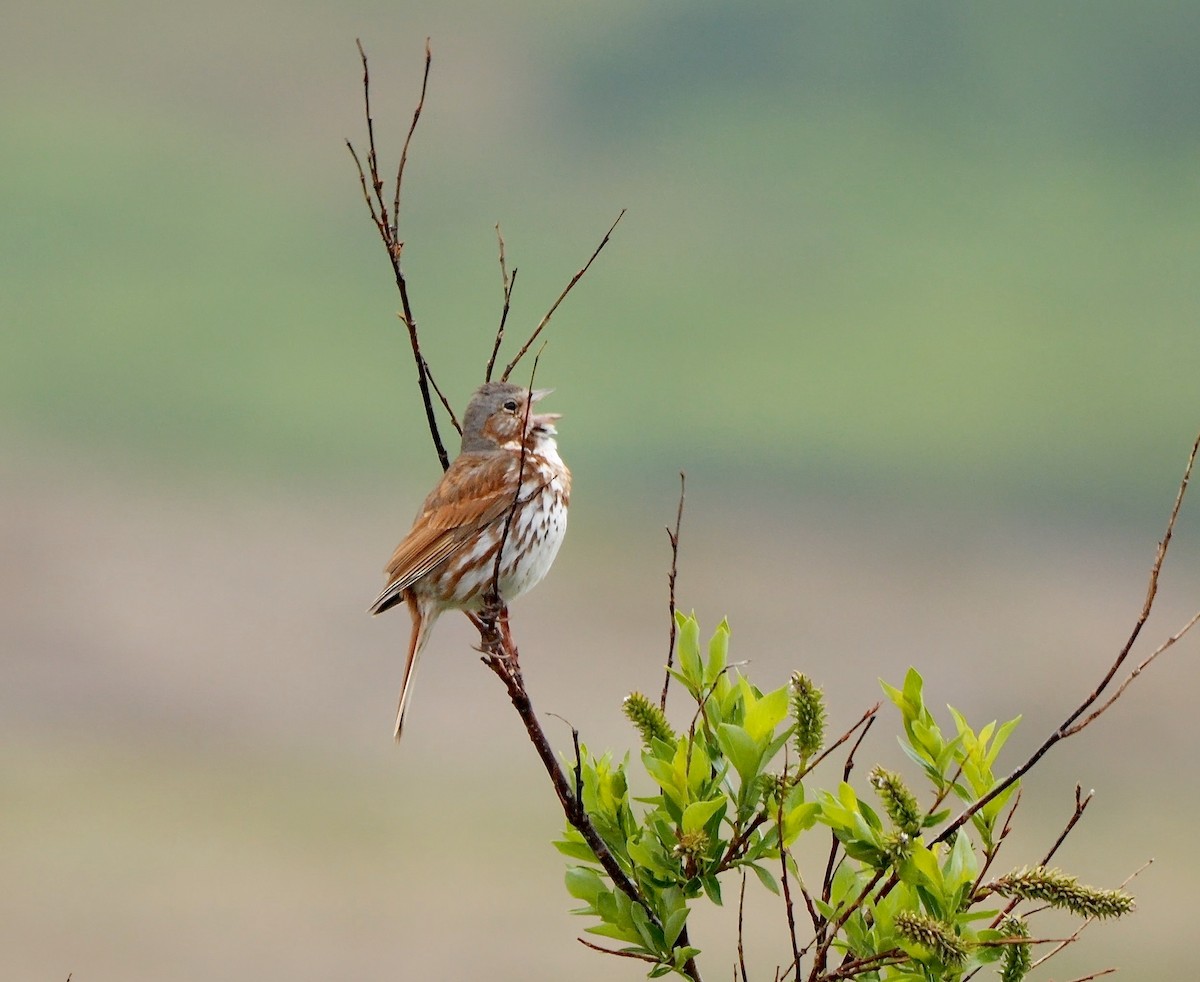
(199, 780)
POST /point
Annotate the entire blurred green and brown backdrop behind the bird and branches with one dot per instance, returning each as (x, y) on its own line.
(909, 291)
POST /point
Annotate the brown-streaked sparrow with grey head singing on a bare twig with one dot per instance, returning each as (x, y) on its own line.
(448, 559)
